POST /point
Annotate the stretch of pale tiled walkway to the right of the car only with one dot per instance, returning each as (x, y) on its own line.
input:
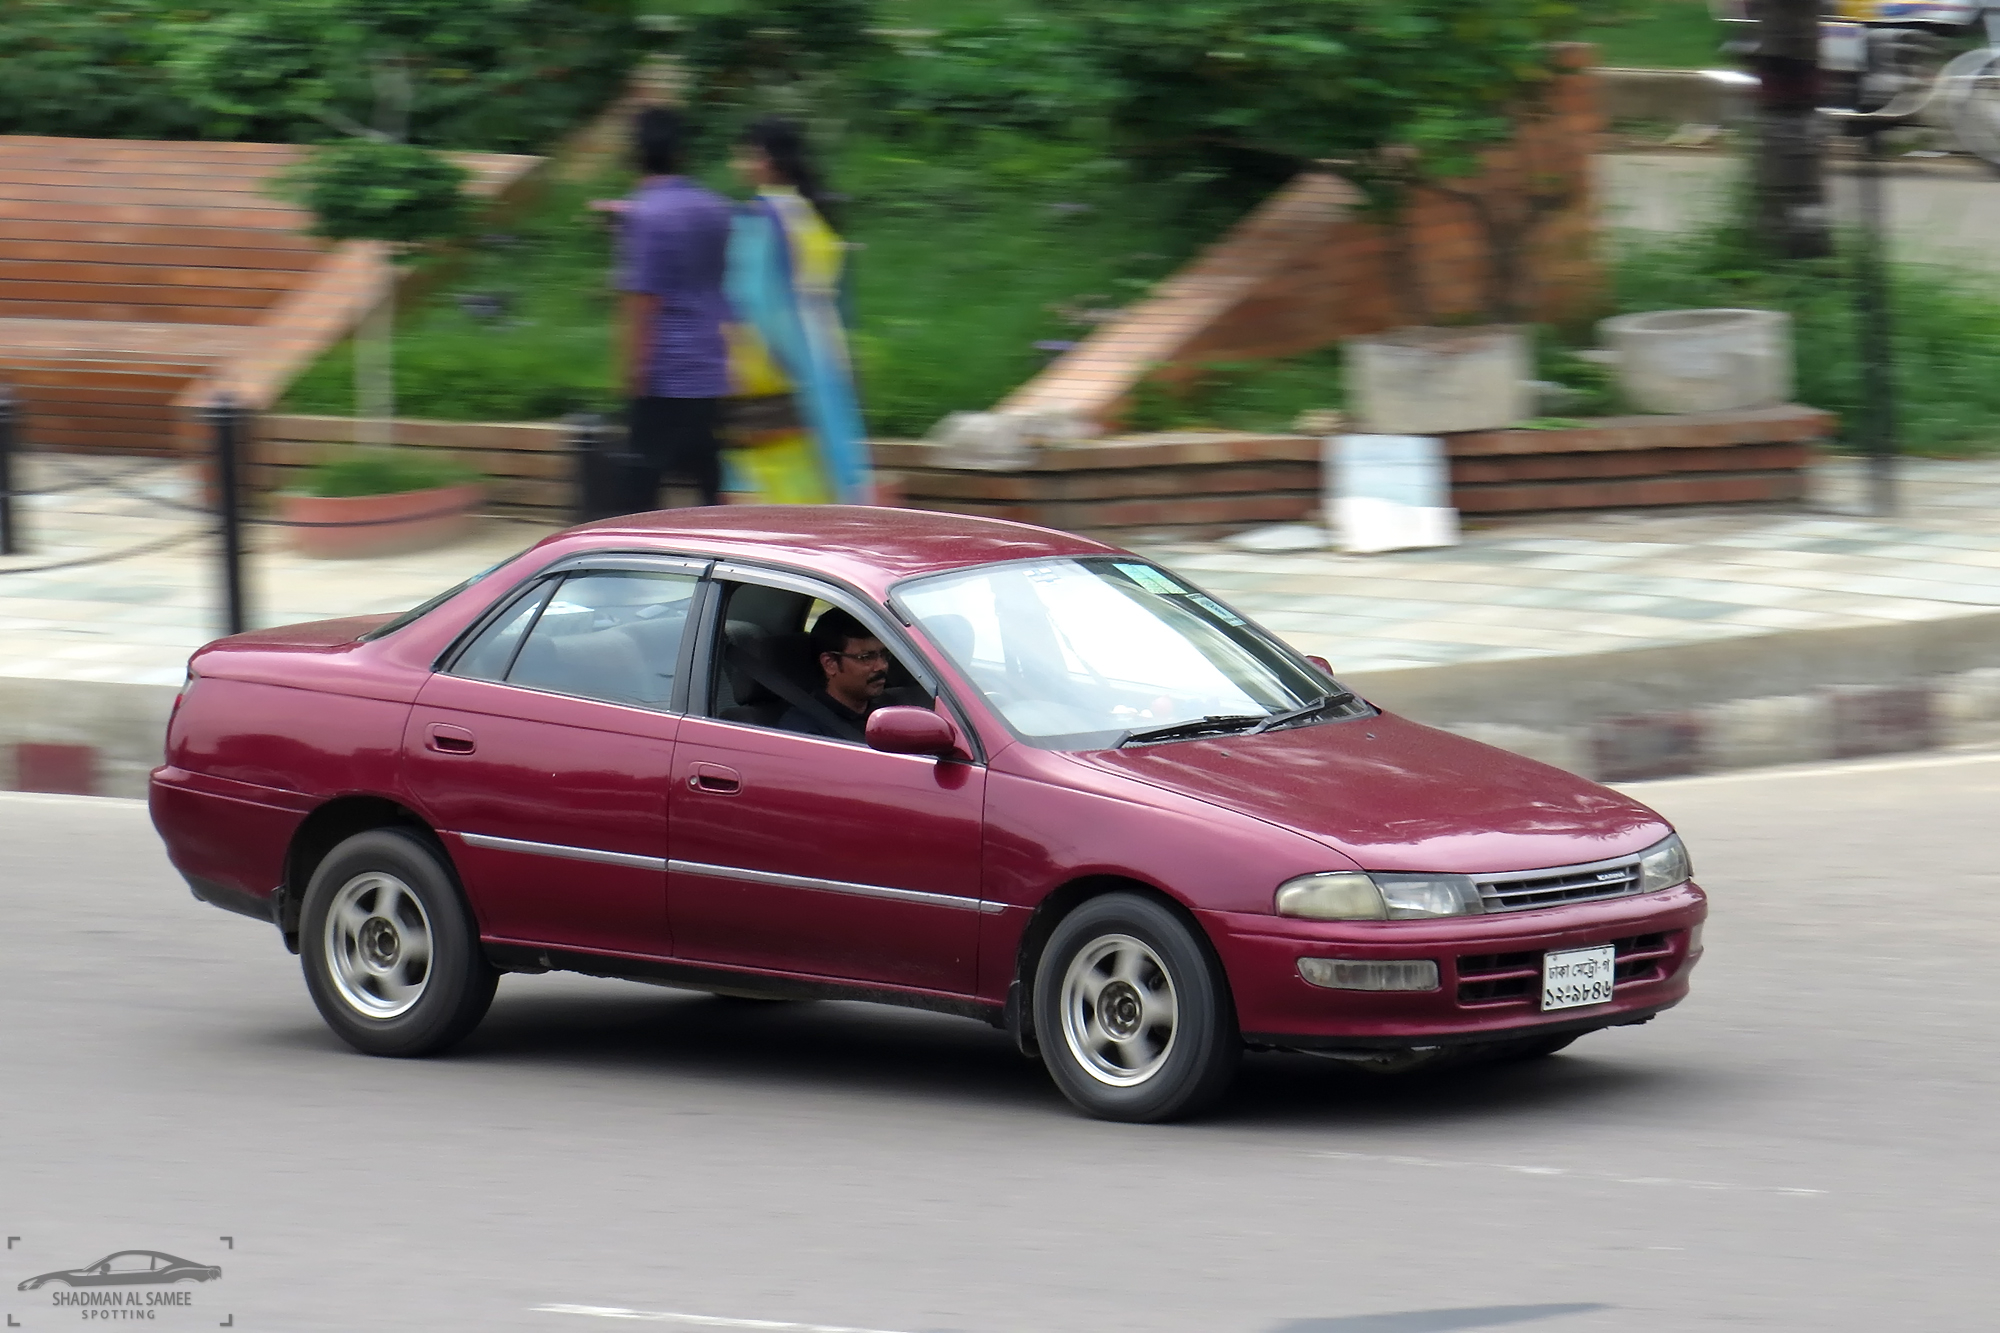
(1599, 583)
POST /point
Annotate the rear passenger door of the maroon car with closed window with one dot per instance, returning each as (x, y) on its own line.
(545, 754)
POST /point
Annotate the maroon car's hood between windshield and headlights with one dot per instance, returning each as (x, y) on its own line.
(1395, 796)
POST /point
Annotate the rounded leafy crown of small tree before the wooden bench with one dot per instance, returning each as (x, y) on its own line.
(377, 191)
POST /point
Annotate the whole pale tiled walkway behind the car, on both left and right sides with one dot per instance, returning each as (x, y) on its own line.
(1523, 589)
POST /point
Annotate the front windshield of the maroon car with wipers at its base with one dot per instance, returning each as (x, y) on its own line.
(1109, 651)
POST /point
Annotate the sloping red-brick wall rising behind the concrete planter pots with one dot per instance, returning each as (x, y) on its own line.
(1303, 271)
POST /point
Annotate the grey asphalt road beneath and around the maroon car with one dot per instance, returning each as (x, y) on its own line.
(1807, 1144)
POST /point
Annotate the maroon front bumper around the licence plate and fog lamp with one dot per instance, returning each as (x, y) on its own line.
(1489, 972)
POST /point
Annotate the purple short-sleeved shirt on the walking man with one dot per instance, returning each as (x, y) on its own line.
(675, 245)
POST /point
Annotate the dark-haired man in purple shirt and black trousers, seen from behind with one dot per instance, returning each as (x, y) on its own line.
(673, 253)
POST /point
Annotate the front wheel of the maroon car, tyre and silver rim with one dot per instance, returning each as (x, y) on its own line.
(1133, 1018)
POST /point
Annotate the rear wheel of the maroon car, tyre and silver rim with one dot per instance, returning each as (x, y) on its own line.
(391, 954)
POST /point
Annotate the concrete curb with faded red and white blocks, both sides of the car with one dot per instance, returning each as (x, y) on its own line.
(1615, 718)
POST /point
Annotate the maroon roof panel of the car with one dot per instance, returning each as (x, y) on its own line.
(869, 545)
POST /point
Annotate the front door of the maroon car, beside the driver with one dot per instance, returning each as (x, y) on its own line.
(819, 858)
